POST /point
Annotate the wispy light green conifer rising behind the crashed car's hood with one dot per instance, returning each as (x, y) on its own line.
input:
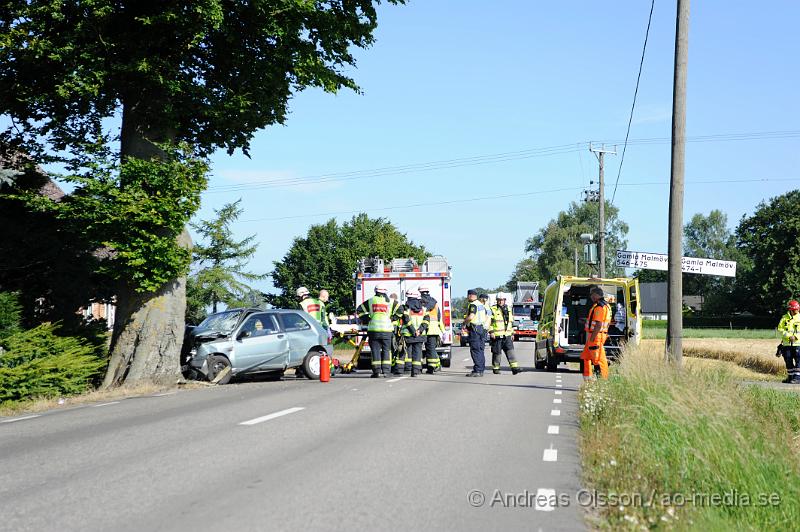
(220, 276)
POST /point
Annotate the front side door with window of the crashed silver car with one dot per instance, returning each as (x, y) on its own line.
(260, 344)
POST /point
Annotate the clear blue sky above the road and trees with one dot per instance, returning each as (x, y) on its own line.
(445, 82)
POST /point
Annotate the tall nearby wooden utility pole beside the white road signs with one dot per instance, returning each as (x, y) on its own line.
(674, 280)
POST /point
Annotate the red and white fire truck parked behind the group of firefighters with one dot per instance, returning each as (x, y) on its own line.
(401, 275)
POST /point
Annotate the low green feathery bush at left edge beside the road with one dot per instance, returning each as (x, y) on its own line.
(39, 363)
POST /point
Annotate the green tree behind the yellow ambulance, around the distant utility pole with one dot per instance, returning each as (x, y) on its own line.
(552, 250)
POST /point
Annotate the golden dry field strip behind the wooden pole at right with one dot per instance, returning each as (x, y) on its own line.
(757, 355)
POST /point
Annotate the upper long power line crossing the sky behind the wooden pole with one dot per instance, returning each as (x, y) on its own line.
(484, 159)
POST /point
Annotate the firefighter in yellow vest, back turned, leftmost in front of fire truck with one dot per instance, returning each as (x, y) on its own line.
(378, 312)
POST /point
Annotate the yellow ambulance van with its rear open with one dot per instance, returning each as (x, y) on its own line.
(566, 305)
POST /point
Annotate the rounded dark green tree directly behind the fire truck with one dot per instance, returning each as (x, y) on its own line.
(327, 257)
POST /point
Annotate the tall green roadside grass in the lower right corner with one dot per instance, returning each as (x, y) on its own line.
(690, 449)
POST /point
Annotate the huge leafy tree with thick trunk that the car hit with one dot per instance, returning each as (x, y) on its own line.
(179, 80)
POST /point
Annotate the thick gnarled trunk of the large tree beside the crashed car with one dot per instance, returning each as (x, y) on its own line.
(149, 327)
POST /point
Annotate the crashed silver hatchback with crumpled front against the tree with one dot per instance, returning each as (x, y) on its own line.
(255, 341)
